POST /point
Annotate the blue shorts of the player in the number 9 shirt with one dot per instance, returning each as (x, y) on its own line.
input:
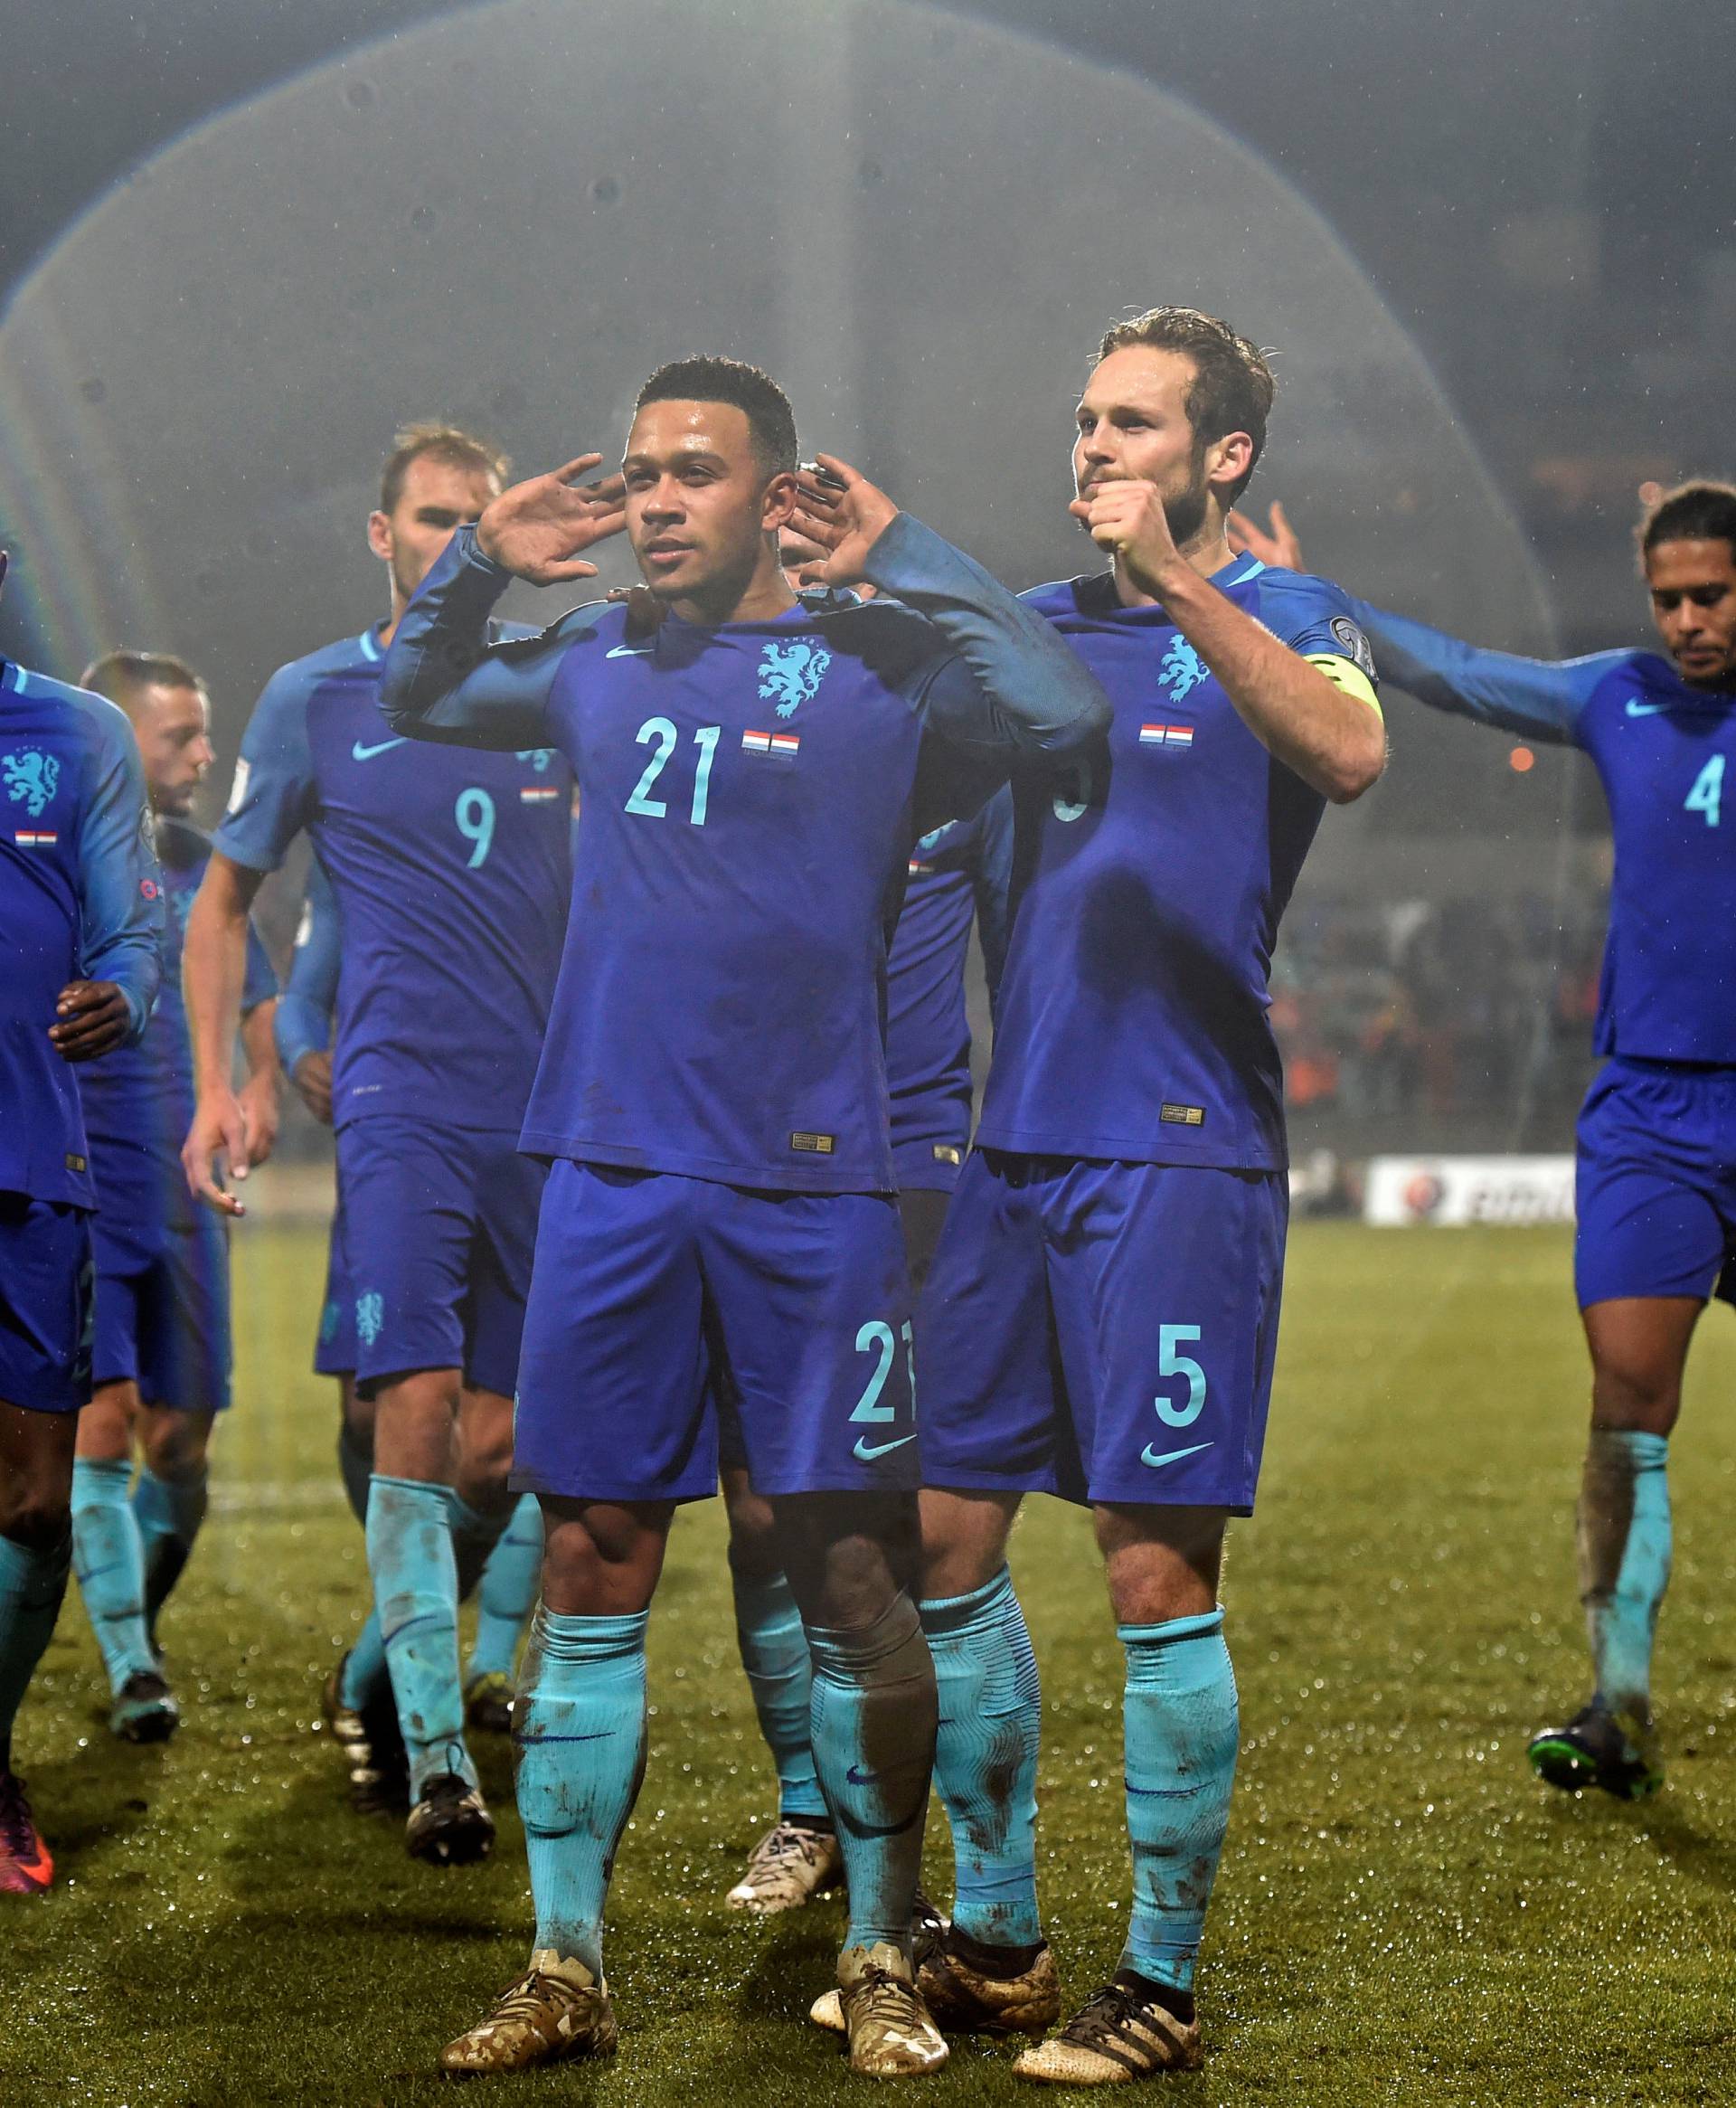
(439, 1230)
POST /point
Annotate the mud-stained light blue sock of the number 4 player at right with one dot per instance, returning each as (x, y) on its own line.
(1625, 1561)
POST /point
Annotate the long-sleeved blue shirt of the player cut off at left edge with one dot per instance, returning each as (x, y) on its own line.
(81, 899)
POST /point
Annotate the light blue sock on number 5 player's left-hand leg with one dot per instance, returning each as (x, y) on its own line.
(985, 1759)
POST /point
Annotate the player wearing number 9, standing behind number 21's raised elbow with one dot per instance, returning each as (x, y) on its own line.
(452, 878)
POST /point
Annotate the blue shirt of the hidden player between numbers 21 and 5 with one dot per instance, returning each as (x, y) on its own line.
(960, 876)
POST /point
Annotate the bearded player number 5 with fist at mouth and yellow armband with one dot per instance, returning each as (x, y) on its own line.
(1103, 1308)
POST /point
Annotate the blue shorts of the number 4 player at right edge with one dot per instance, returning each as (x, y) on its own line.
(1657, 1184)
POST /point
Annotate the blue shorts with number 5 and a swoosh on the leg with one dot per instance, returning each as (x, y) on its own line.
(1103, 1331)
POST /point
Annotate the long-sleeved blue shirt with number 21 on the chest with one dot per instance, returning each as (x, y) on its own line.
(749, 800)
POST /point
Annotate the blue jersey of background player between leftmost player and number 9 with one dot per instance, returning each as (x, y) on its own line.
(140, 1099)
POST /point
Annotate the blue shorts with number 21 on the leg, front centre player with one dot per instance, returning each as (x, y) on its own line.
(658, 1295)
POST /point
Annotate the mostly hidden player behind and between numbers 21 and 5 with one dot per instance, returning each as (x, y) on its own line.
(958, 878)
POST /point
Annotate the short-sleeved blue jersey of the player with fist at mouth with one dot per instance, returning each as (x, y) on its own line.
(1147, 893)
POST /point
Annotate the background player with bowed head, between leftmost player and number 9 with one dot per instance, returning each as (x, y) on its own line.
(163, 1266)
